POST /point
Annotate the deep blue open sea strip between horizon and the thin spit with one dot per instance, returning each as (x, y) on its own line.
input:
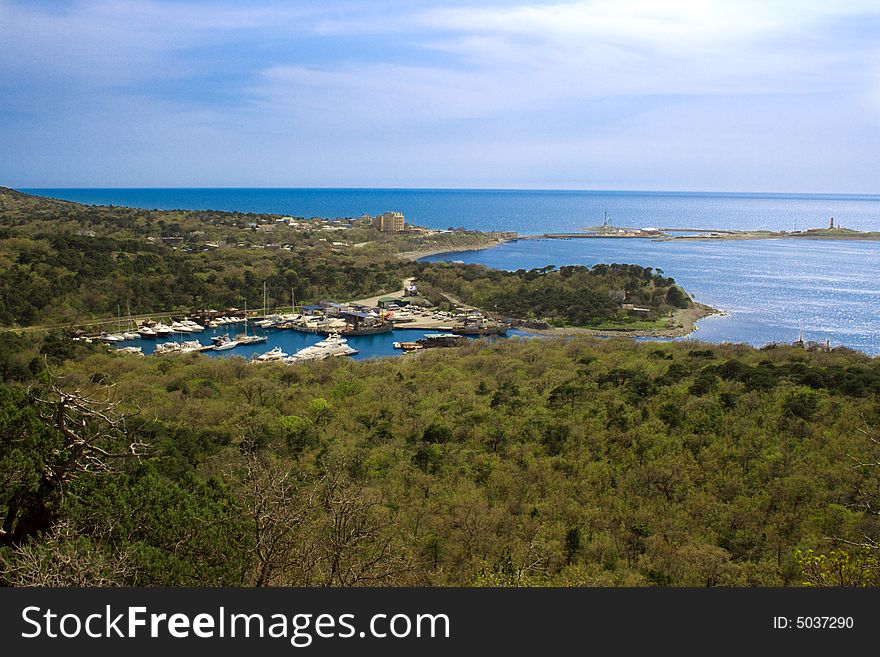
(530, 212)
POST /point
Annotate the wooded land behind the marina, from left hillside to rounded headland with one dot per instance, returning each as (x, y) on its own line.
(64, 263)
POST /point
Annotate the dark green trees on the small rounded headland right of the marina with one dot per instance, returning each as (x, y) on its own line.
(568, 296)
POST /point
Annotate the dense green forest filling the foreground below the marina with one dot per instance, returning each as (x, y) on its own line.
(518, 462)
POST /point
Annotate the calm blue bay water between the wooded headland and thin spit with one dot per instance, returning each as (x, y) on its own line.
(768, 289)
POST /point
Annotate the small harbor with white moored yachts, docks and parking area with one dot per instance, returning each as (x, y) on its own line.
(383, 325)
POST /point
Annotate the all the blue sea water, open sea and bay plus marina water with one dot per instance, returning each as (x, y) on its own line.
(769, 290)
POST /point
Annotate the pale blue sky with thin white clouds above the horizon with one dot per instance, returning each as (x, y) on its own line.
(672, 95)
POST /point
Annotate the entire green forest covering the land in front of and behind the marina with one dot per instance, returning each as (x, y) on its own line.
(514, 462)
